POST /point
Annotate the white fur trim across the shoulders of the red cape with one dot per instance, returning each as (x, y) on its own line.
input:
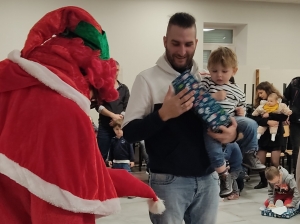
(50, 79)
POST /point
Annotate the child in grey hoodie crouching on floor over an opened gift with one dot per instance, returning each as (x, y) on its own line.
(282, 186)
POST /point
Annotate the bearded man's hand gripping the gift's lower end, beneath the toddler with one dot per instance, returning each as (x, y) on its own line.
(227, 135)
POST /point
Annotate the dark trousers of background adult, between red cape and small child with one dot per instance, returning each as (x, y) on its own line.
(104, 137)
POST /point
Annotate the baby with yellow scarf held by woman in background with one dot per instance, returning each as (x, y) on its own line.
(272, 105)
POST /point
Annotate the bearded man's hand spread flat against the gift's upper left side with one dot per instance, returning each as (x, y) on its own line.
(175, 105)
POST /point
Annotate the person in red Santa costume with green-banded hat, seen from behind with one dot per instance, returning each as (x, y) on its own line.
(51, 170)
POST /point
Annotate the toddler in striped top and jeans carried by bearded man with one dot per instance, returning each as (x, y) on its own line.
(222, 66)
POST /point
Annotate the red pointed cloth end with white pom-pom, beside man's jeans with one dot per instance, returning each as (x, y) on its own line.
(128, 185)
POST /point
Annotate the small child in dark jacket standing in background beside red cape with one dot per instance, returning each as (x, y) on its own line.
(121, 154)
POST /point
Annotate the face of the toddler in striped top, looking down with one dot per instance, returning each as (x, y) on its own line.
(221, 75)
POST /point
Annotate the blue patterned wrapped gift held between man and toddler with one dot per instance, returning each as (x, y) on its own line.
(206, 107)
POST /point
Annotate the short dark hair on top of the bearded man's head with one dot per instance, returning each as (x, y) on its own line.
(183, 20)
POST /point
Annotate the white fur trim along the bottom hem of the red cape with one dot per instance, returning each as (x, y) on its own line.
(53, 194)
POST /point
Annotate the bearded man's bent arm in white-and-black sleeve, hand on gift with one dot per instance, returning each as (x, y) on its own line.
(140, 122)
